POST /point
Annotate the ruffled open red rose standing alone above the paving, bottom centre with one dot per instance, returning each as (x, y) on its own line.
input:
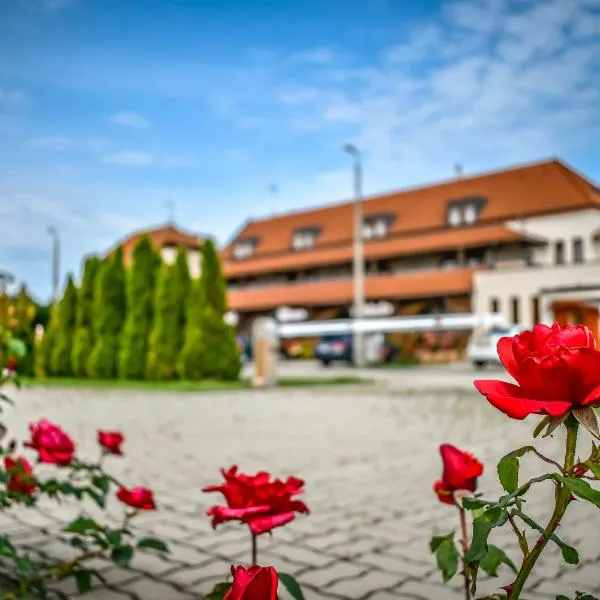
(256, 500)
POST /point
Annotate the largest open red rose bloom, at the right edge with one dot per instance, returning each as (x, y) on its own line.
(556, 369)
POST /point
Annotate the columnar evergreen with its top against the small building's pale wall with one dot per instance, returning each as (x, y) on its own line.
(164, 342)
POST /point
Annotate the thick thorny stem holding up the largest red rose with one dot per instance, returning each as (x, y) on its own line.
(562, 497)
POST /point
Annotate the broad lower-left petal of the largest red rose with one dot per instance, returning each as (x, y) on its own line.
(510, 399)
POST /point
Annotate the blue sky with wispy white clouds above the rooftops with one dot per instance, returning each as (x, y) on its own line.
(109, 109)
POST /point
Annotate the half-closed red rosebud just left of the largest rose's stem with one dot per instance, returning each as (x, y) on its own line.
(461, 471)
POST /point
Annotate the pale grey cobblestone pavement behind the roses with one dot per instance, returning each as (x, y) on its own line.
(369, 456)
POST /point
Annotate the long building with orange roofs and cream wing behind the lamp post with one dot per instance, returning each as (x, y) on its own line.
(524, 242)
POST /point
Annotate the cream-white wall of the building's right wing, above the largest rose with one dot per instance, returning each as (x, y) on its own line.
(525, 283)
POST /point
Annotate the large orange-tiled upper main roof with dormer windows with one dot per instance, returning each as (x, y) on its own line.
(522, 191)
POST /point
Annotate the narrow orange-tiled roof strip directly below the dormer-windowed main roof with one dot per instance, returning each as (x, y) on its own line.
(402, 245)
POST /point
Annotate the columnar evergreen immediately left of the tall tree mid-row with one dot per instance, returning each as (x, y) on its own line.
(109, 315)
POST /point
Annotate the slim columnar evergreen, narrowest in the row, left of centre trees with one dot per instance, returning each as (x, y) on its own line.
(83, 340)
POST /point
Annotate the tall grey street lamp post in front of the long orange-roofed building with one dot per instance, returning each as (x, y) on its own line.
(358, 272)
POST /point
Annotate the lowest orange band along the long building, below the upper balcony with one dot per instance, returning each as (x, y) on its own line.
(382, 287)
